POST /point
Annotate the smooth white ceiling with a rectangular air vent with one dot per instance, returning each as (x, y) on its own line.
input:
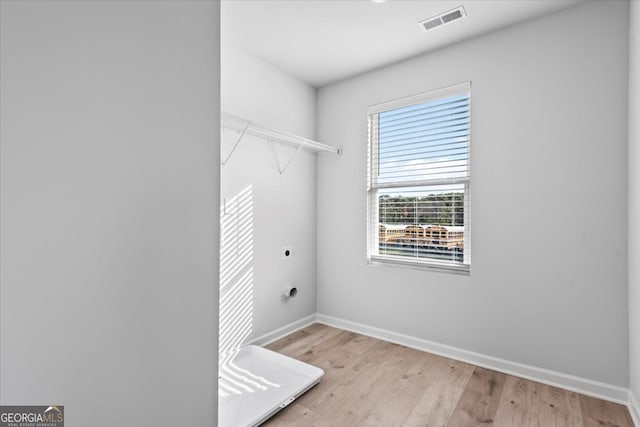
(323, 41)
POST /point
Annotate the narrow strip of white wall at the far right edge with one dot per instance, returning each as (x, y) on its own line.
(634, 204)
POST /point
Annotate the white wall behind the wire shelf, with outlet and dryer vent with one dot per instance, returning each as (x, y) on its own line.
(283, 208)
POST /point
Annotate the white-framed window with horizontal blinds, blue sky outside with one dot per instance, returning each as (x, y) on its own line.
(419, 177)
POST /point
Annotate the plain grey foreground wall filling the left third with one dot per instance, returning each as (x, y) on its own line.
(109, 204)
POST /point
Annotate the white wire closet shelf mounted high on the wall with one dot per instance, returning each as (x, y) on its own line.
(238, 124)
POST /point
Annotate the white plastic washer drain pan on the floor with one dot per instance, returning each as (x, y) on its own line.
(255, 383)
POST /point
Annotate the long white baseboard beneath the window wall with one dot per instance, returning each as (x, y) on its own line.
(585, 386)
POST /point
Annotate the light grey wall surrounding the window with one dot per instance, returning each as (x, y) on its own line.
(548, 283)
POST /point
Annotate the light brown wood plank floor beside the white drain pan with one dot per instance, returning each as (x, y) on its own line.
(369, 382)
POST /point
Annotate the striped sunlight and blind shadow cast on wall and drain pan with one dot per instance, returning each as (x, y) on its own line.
(236, 290)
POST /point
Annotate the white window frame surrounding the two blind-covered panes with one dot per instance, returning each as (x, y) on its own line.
(372, 220)
